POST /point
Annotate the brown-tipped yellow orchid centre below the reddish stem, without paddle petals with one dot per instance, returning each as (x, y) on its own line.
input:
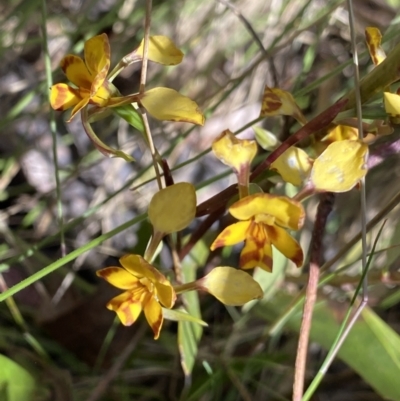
(263, 219)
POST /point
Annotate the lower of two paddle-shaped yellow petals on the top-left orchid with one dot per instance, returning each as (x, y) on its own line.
(168, 104)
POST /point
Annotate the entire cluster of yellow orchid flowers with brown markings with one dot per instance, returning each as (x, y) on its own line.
(264, 219)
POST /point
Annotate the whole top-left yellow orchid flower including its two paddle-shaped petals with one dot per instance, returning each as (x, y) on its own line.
(92, 86)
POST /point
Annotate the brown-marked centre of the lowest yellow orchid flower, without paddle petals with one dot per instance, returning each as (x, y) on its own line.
(146, 288)
